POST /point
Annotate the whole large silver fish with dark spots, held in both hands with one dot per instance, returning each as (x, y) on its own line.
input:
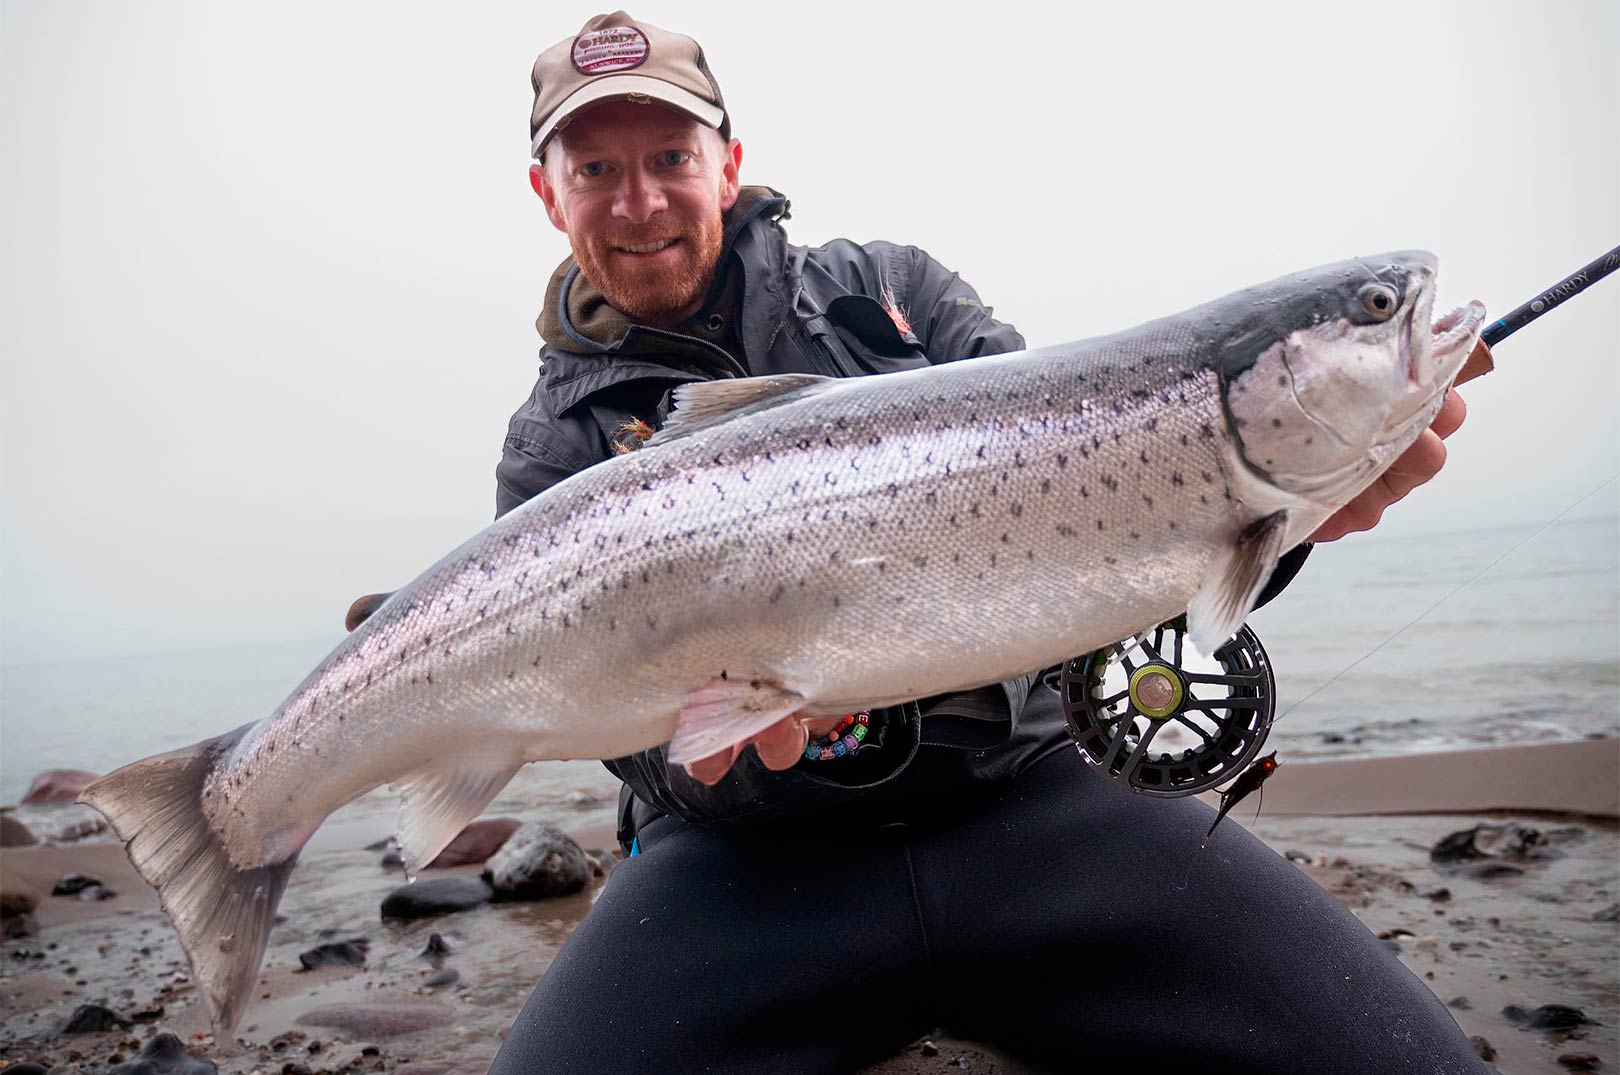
(814, 546)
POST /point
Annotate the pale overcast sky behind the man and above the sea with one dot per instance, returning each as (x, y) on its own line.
(271, 271)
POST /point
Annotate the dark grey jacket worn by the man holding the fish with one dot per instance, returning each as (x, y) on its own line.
(777, 308)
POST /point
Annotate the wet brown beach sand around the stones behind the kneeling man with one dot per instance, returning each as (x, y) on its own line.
(1546, 935)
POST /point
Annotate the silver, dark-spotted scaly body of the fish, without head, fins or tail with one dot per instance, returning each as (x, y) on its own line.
(885, 538)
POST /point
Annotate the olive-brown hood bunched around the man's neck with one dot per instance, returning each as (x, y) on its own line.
(579, 318)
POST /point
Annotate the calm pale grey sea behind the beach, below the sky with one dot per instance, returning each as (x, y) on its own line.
(1530, 652)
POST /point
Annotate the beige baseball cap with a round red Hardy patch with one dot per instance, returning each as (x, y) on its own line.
(616, 57)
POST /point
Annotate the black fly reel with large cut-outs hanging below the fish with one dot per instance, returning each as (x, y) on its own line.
(1146, 721)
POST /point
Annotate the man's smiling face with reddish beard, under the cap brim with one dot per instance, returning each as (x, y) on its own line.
(641, 192)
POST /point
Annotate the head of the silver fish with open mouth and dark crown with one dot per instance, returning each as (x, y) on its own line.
(1328, 376)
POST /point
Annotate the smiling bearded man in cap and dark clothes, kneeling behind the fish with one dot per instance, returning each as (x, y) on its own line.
(798, 911)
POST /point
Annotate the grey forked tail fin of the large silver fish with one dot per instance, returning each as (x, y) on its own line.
(223, 912)
